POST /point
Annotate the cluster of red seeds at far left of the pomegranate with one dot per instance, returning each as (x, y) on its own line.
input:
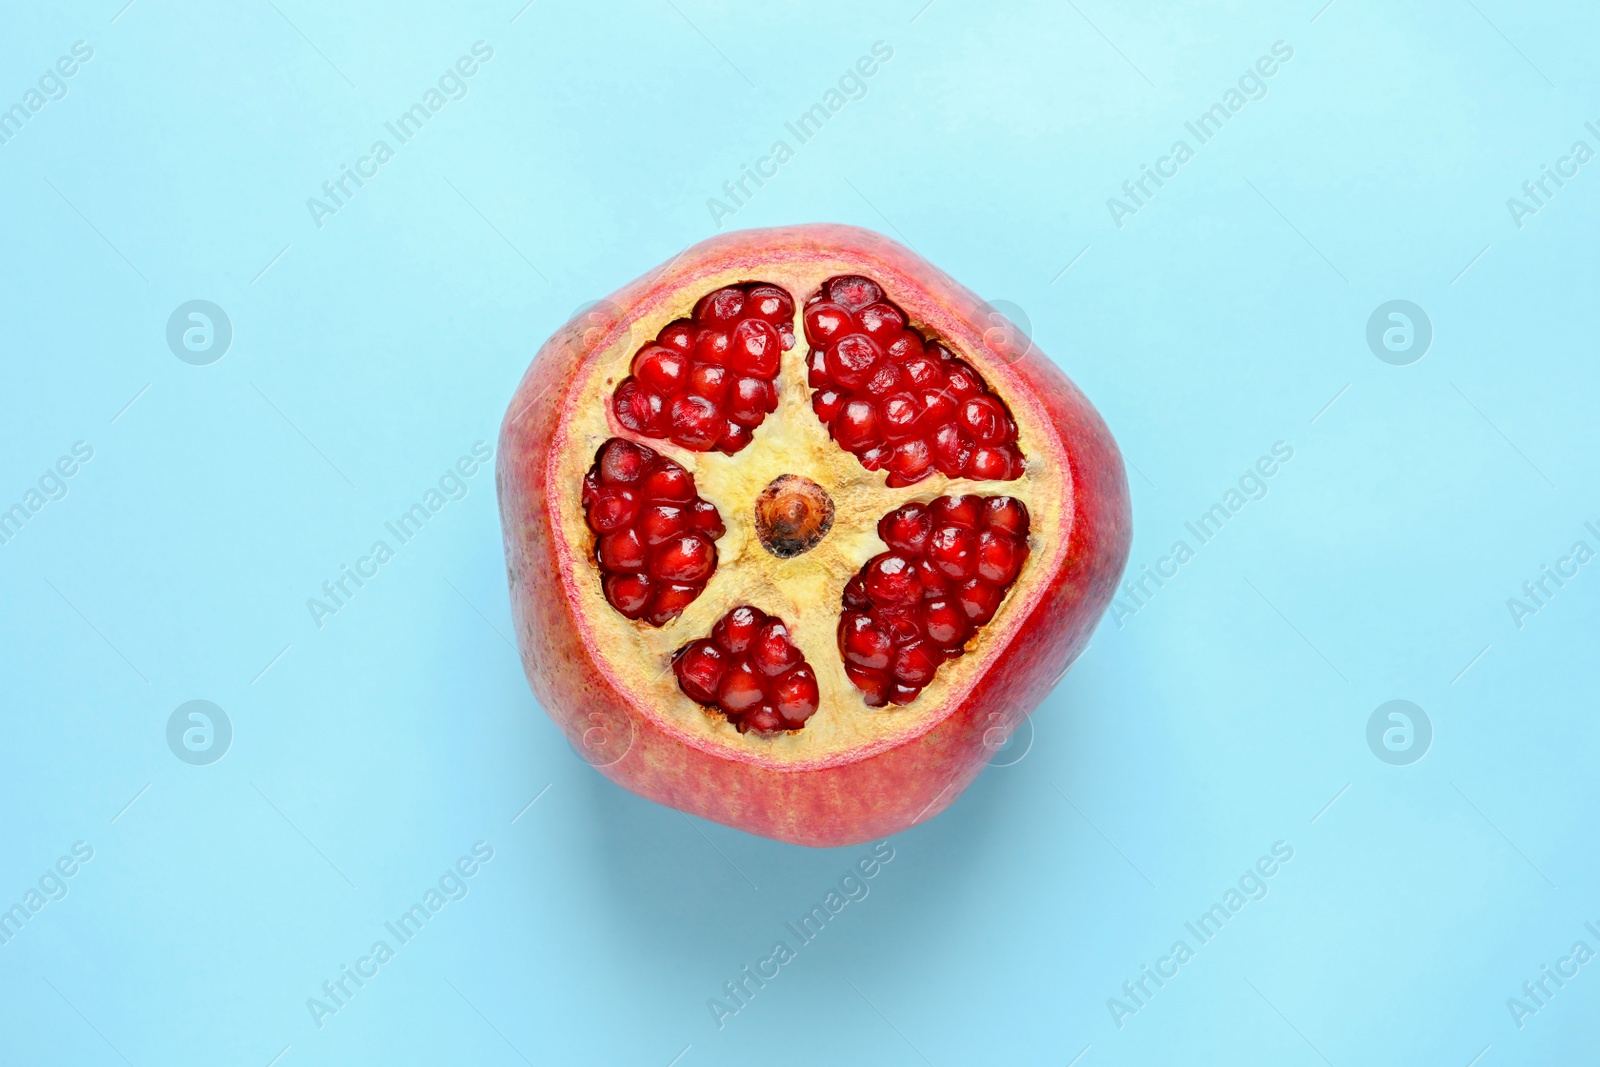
(655, 537)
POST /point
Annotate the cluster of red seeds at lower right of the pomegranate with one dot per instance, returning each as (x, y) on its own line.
(913, 609)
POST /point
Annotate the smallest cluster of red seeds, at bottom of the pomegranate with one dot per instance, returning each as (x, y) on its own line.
(751, 673)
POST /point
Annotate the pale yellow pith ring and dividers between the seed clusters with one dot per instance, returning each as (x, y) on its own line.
(804, 591)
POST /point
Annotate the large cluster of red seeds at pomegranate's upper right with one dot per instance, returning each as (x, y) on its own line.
(897, 401)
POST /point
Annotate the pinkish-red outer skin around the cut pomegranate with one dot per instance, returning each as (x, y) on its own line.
(857, 796)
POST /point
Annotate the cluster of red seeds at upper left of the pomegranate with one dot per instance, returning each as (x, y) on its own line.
(682, 386)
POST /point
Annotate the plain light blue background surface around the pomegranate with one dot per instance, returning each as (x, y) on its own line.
(1226, 716)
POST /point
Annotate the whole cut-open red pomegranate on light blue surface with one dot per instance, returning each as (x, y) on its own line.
(812, 631)
